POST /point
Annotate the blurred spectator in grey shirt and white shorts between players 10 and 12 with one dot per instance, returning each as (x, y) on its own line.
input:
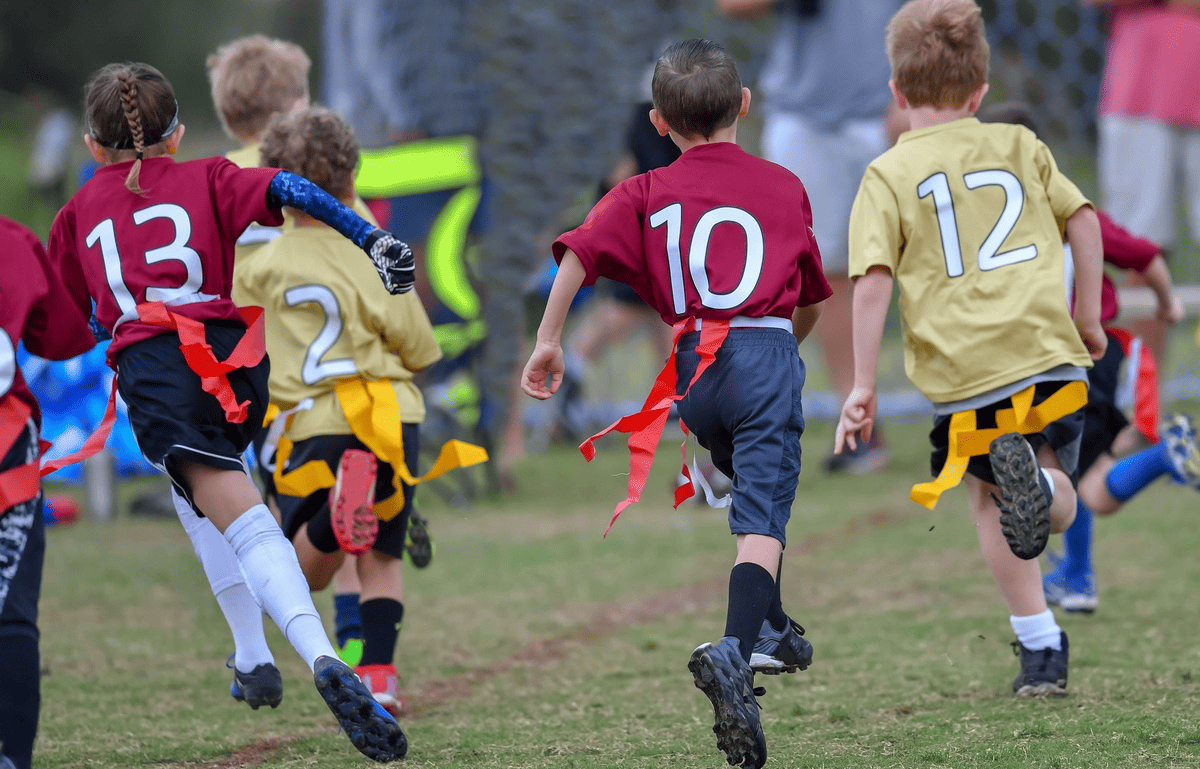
(827, 116)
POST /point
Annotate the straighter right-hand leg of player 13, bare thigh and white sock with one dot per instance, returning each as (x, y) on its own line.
(232, 502)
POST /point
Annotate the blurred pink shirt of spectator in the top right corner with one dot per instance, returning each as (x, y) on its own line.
(1154, 65)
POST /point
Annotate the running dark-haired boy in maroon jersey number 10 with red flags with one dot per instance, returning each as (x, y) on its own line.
(752, 280)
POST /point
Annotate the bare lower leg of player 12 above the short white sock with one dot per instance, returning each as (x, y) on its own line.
(1019, 581)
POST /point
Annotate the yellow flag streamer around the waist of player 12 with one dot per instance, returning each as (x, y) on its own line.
(967, 442)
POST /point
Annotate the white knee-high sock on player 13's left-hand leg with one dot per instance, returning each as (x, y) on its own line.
(237, 603)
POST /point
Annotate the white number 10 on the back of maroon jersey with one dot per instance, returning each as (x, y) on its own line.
(698, 255)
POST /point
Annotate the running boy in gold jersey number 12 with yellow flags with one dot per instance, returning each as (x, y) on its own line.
(970, 220)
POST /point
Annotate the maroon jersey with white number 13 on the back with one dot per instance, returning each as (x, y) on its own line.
(175, 244)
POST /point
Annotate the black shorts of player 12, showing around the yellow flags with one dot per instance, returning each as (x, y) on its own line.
(1064, 436)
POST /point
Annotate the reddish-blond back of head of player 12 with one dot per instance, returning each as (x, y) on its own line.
(939, 52)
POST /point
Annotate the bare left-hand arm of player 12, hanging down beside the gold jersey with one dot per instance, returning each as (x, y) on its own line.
(873, 295)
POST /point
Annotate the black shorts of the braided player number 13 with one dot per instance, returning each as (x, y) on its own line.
(173, 419)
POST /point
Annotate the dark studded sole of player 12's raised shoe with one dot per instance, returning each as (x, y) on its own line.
(1024, 509)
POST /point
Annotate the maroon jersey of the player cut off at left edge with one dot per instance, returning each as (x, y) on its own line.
(35, 309)
